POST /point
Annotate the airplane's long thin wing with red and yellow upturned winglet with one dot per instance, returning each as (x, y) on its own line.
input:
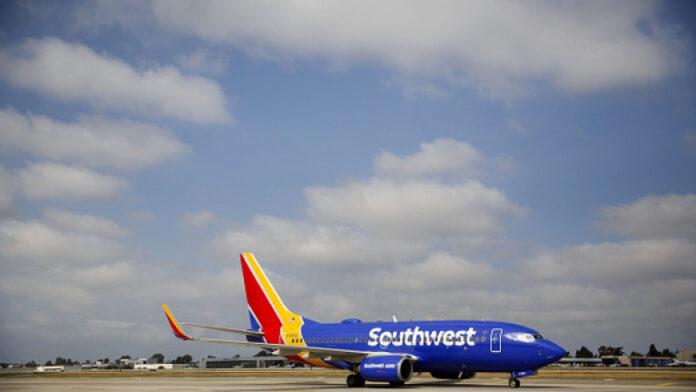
(354, 356)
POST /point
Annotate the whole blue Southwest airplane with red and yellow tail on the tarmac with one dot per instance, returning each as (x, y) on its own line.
(381, 351)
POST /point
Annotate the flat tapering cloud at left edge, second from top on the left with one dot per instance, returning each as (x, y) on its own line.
(91, 141)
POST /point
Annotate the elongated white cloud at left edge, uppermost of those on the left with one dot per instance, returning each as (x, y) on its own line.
(73, 72)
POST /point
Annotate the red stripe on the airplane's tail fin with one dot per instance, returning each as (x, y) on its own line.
(261, 306)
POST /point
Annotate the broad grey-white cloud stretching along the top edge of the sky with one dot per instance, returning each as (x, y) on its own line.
(500, 46)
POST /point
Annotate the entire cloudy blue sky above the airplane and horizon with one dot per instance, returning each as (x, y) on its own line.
(532, 162)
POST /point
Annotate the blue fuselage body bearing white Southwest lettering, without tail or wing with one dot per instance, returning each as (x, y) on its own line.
(453, 345)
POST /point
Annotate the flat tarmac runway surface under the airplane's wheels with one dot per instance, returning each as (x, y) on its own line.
(148, 384)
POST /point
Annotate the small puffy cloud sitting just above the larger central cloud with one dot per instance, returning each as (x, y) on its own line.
(441, 156)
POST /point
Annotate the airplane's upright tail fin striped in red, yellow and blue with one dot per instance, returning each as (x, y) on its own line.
(267, 312)
